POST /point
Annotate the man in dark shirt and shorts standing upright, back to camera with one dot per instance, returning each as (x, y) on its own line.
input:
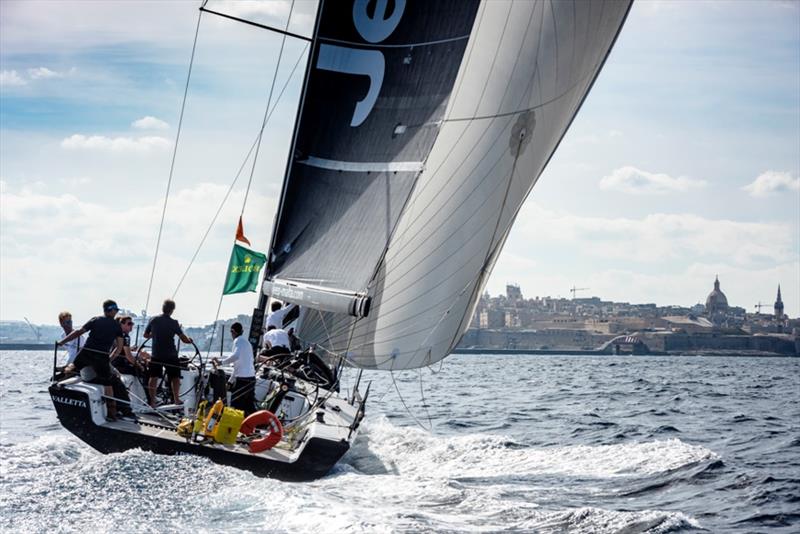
(163, 329)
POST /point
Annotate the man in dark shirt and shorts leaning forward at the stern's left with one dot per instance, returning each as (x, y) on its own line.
(104, 333)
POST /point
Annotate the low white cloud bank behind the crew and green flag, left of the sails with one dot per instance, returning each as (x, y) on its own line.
(105, 249)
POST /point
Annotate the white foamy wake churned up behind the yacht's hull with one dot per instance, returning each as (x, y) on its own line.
(394, 479)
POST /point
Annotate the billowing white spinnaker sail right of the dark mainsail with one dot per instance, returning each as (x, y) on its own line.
(525, 73)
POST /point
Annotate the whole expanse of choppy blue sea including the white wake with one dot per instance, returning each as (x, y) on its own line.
(511, 443)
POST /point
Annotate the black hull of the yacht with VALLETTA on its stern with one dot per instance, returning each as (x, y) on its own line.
(318, 457)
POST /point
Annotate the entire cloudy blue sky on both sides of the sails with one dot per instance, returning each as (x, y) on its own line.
(683, 163)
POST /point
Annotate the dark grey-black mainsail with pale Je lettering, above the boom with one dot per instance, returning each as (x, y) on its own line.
(377, 91)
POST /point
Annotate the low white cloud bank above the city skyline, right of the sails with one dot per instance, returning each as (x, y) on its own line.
(666, 258)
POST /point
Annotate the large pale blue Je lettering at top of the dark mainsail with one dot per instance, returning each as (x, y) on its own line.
(373, 27)
